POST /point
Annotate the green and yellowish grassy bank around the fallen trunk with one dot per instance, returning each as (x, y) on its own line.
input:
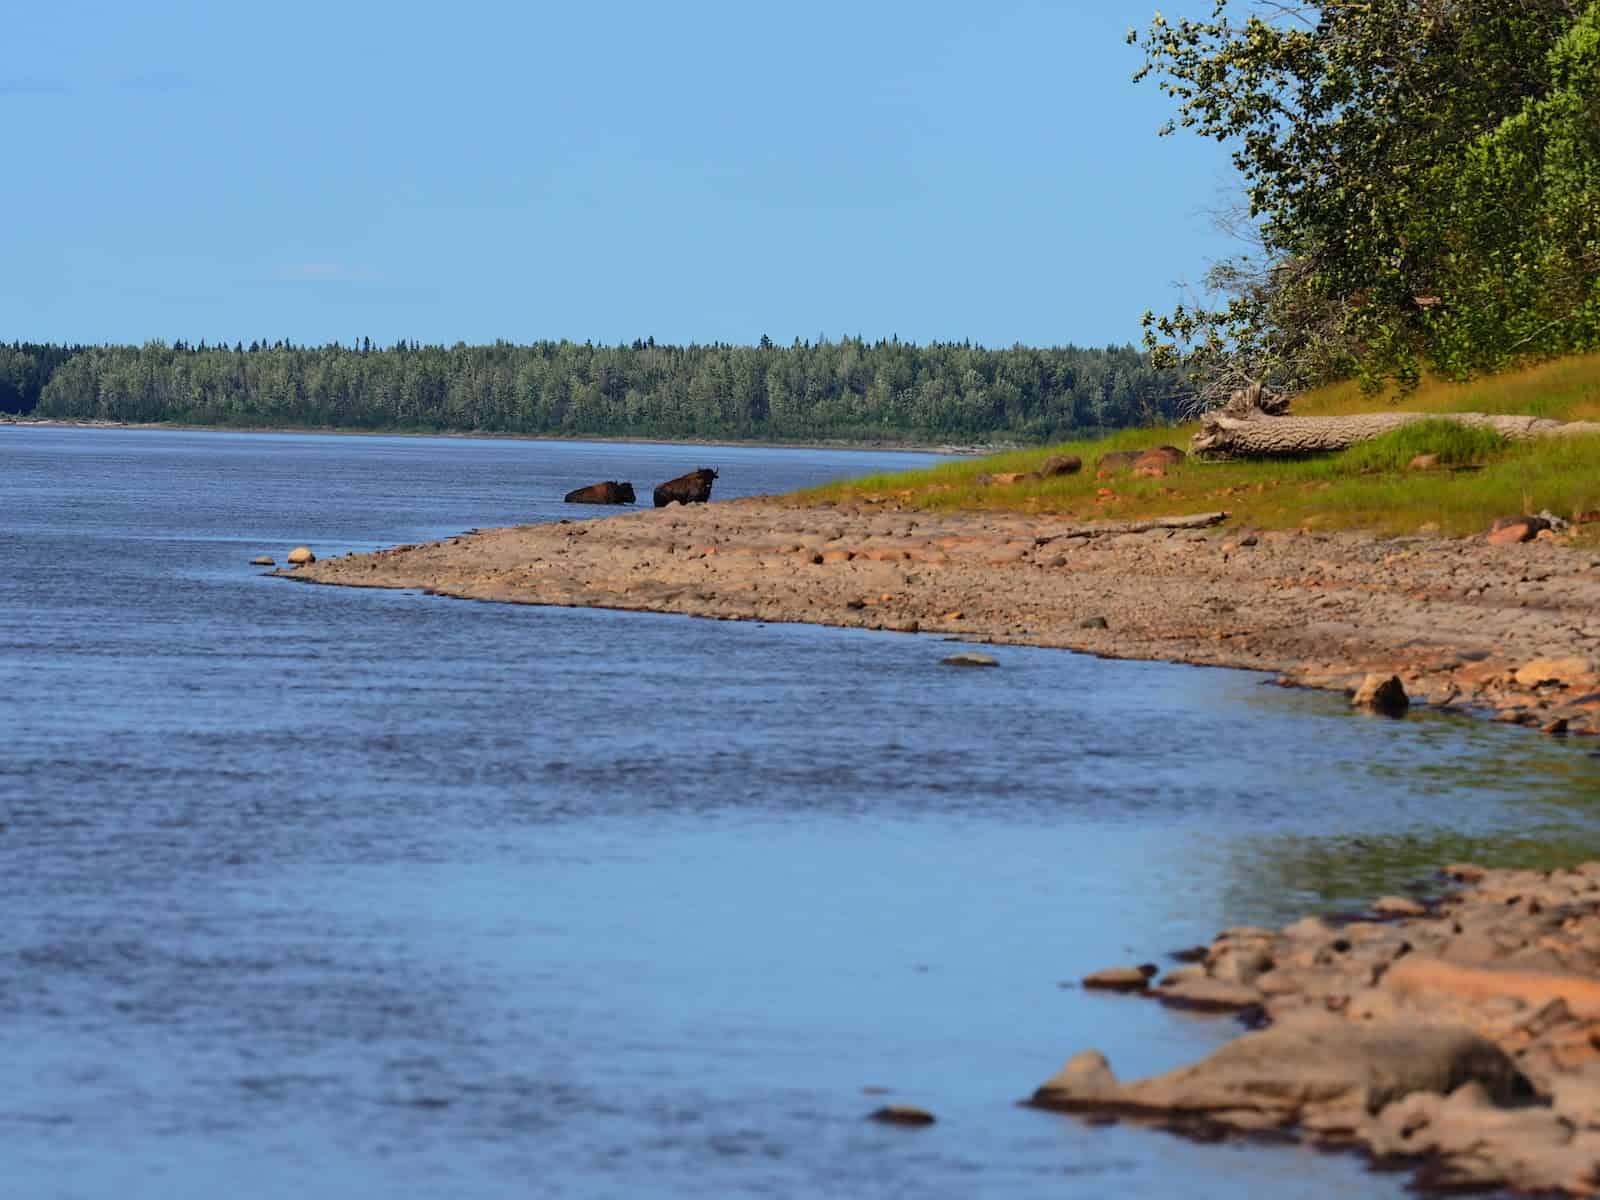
(1479, 479)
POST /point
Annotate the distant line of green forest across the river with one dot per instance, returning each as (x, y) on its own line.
(825, 390)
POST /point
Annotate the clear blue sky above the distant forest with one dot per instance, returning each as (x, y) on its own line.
(612, 169)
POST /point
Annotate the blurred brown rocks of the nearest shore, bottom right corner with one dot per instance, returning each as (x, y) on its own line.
(1458, 1039)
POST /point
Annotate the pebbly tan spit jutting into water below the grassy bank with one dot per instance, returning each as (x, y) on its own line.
(1513, 631)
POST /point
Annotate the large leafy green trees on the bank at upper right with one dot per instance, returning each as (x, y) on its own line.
(1422, 185)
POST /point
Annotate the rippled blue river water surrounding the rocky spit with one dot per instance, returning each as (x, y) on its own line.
(342, 894)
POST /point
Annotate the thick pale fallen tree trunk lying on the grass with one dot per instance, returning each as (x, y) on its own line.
(1260, 436)
